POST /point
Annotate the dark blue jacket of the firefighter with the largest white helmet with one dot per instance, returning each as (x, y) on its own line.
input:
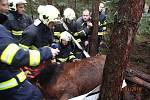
(37, 35)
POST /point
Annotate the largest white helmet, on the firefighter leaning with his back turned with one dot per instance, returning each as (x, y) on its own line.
(48, 13)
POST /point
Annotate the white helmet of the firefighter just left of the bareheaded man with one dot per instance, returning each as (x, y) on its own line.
(69, 13)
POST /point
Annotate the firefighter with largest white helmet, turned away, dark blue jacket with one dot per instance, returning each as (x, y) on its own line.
(40, 33)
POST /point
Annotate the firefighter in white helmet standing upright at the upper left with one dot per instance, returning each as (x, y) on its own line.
(17, 19)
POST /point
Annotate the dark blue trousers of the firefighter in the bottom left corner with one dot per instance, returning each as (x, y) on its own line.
(24, 91)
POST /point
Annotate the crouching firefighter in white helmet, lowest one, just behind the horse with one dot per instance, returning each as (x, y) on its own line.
(64, 45)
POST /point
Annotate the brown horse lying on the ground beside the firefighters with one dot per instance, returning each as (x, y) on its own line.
(67, 80)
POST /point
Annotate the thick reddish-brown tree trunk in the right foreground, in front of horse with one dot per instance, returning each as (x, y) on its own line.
(124, 31)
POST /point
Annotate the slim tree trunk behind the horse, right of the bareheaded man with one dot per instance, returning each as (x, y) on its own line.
(95, 18)
